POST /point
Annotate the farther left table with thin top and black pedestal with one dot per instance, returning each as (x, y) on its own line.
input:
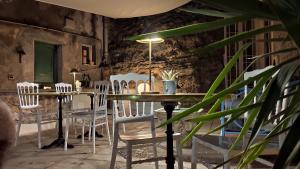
(60, 141)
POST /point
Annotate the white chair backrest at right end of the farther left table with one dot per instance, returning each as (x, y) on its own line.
(101, 90)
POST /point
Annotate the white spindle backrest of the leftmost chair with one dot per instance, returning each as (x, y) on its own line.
(28, 101)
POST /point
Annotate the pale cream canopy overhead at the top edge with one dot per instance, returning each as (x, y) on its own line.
(120, 8)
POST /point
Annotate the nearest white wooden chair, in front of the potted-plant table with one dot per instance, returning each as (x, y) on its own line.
(133, 112)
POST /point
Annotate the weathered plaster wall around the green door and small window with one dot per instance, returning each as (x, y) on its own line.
(26, 21)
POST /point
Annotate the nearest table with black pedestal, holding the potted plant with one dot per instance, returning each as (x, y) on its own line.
(168, 101)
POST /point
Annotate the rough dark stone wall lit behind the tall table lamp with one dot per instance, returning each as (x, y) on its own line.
(196, 72)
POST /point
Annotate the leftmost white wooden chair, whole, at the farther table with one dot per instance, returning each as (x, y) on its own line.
(30, 103)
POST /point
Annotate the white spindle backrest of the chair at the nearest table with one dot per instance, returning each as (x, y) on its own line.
(131, 83)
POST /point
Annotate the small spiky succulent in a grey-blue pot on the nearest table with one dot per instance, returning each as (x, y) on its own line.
(169, 81)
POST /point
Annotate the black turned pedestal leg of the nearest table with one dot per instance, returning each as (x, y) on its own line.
(170, 160)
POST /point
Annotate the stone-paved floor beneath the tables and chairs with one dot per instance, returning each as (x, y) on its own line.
(27, 156)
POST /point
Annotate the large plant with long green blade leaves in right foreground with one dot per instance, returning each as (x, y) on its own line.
(286, 15)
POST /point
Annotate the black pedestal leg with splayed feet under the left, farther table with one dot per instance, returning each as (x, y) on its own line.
(60, 141)
